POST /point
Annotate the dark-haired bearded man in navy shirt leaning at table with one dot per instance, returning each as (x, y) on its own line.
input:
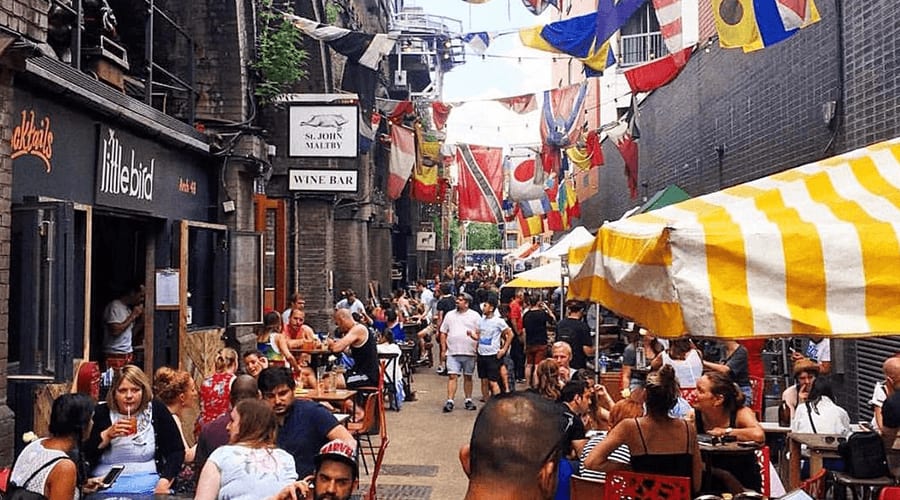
(304, 426)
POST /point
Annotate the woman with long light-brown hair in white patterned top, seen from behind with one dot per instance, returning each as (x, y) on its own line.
(251, 466)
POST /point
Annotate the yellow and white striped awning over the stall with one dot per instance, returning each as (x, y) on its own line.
(814, 249)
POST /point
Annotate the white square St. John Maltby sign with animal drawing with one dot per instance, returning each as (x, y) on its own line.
(323, 131)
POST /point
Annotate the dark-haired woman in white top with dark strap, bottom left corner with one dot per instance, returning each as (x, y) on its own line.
(48, 466)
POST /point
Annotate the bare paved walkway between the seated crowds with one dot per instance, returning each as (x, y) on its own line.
(422, 460)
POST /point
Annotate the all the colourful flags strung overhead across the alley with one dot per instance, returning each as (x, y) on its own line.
(541, 186)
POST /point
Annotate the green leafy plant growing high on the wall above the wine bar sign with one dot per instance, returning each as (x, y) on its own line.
(281, 59)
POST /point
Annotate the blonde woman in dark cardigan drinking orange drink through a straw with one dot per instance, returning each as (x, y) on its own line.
(134, 430)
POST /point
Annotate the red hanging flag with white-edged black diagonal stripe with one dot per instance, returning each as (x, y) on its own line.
(480, 189)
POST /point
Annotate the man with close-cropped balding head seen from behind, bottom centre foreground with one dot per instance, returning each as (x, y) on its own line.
(500, 463)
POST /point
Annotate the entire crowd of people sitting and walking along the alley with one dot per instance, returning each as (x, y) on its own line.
(256, 439)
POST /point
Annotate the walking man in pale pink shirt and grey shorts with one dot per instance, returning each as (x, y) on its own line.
(460, 341)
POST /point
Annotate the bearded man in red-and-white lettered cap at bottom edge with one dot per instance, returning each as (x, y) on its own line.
(336, 476)
